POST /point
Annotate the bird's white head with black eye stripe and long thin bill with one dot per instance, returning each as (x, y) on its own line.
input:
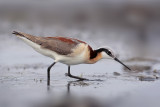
(108, 54)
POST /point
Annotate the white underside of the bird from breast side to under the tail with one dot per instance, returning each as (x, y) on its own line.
(69, 60)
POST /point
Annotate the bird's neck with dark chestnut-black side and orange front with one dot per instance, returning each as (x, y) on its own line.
(95, 55)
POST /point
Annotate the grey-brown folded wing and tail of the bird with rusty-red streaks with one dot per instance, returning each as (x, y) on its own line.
(60, 45)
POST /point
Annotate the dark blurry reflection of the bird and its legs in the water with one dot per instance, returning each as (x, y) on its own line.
(69, 99)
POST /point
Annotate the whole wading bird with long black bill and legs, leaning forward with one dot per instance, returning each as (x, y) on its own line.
(66, 50)
